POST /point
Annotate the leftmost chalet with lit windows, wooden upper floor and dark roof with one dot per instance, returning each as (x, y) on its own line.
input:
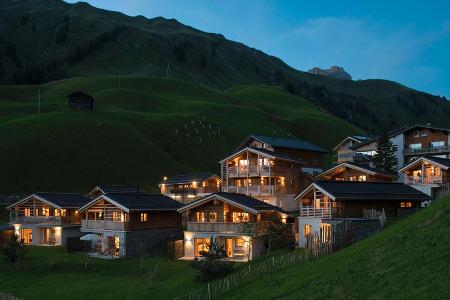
(47, 218)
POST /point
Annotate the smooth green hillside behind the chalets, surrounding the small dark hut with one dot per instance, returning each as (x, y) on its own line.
(141, 130)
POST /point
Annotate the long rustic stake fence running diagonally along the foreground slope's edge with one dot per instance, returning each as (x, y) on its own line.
(251, 272)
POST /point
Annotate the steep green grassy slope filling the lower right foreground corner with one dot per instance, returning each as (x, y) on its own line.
(408, 260)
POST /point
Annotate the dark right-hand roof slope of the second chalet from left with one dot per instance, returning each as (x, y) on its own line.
(135, 201)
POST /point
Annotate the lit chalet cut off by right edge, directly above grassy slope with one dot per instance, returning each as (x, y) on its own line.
(429, 174)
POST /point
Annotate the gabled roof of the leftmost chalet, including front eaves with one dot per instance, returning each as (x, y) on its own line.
(59, 200)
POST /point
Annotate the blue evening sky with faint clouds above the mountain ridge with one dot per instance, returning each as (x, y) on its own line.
(405, 41)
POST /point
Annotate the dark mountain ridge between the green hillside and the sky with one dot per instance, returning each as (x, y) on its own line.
(46, 40)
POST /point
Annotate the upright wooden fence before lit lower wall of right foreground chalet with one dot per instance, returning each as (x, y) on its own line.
(329, 239)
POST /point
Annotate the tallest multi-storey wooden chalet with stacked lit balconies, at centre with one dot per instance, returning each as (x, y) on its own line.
(271, 169)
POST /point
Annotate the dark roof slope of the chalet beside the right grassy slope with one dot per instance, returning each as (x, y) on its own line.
(360, 190)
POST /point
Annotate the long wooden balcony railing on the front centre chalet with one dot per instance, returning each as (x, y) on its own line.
(228, 227)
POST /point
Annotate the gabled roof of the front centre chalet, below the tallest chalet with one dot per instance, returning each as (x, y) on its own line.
(240, 200)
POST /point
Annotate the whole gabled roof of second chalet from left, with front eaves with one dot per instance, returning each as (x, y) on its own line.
(137, 201)
